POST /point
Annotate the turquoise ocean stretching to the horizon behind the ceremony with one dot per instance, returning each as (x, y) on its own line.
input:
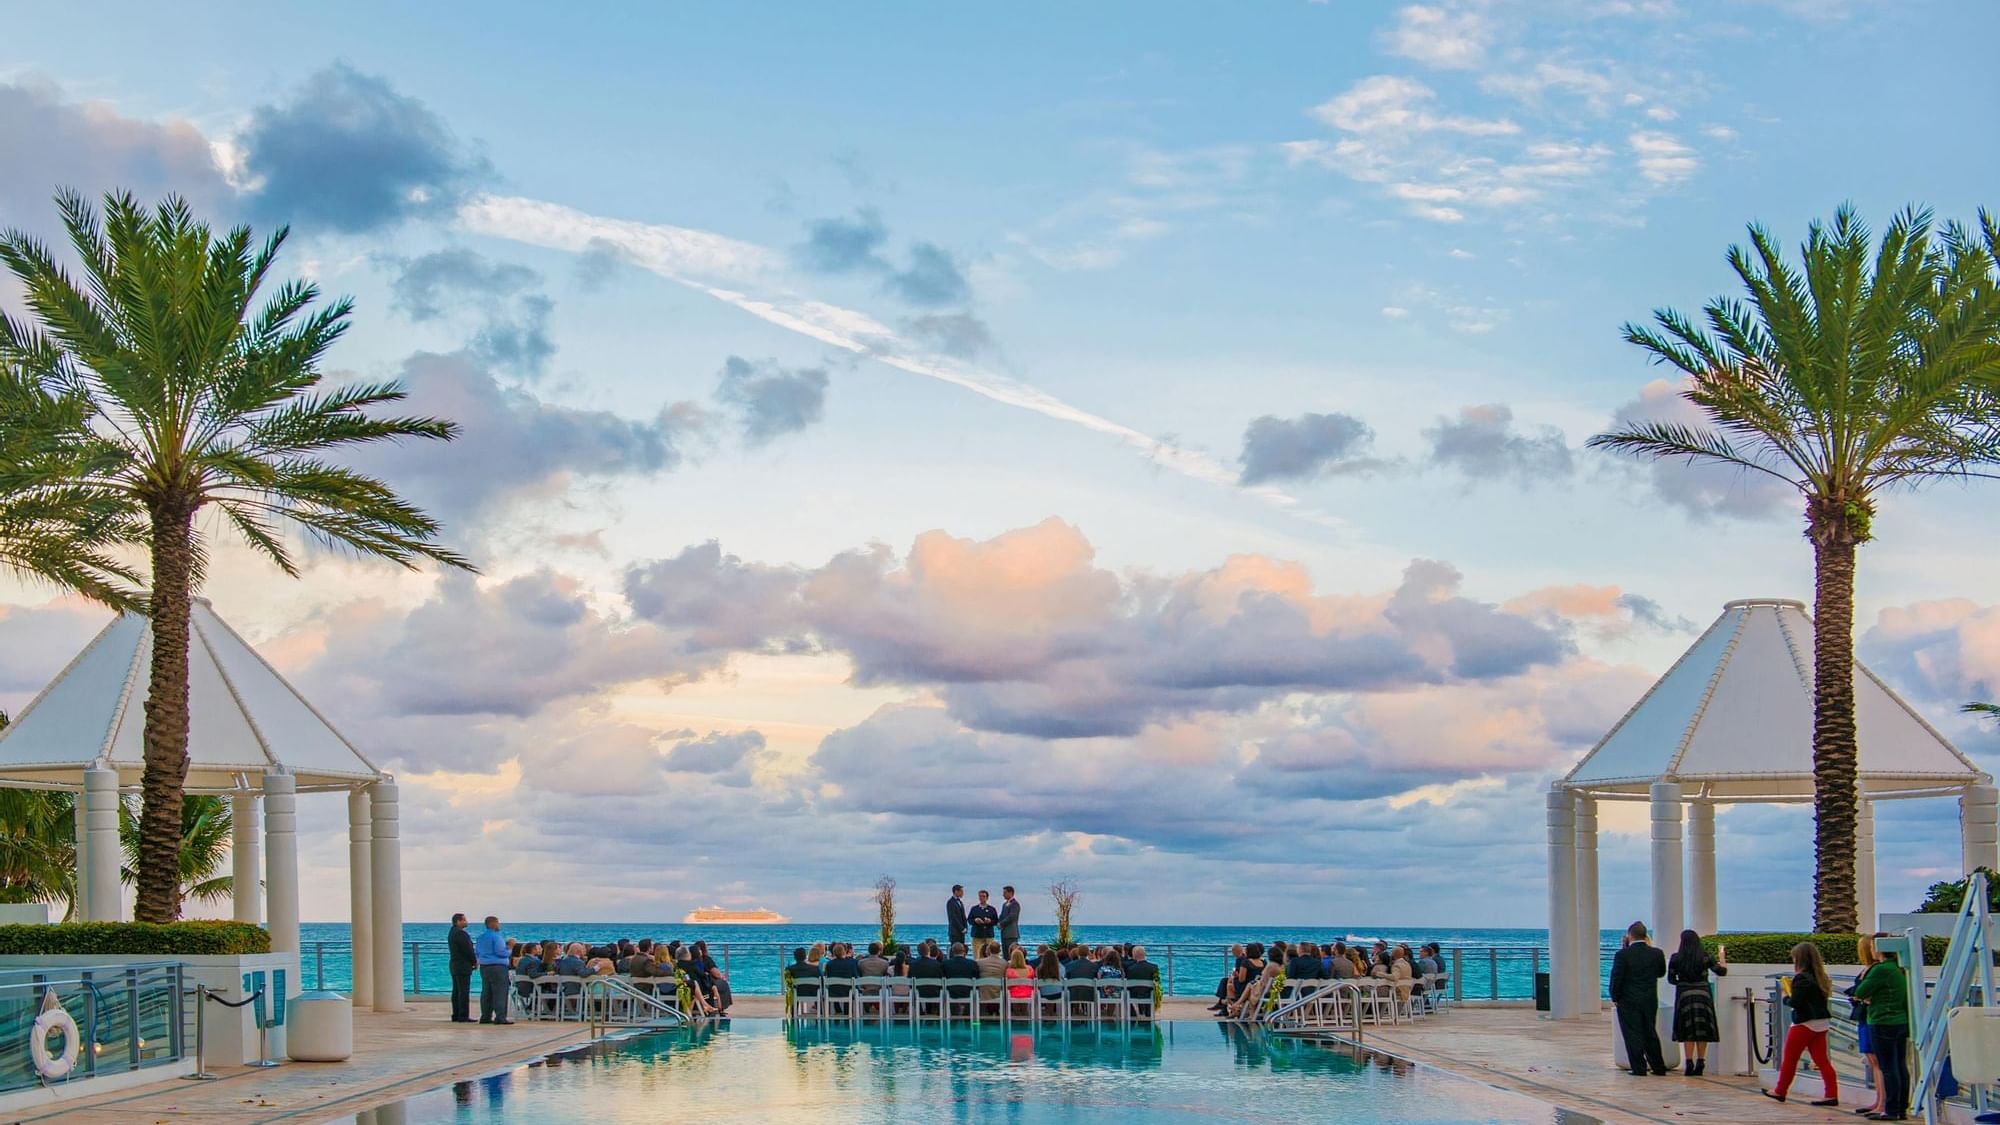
(1493, 964)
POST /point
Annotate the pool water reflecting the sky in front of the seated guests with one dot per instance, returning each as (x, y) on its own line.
(775, 1072)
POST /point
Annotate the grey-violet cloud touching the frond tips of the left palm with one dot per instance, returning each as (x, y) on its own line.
(513, 443)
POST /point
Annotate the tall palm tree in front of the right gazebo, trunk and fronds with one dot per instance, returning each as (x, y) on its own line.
(1855, 373)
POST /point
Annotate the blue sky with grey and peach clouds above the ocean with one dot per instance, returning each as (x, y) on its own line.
(1141, 443)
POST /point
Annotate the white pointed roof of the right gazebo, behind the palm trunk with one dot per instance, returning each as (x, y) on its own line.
(1733, 720)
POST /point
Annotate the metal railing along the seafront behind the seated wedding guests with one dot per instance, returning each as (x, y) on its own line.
(1187, 970)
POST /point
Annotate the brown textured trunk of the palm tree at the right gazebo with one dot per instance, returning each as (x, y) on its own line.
(1835, 746)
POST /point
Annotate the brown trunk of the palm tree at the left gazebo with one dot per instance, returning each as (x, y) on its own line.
(167, 714)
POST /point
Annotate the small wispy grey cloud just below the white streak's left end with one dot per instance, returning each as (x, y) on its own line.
(513, 311)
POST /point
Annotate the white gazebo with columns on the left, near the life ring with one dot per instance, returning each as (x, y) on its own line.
(253, 738)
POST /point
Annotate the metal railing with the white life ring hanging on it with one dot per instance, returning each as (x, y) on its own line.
(129, 1018)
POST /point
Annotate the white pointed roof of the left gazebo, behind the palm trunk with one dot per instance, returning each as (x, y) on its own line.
(245, 718)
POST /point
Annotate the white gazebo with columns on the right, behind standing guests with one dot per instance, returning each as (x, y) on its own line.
(1733, 724)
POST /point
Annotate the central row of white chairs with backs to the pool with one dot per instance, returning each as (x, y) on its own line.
(959, 1000)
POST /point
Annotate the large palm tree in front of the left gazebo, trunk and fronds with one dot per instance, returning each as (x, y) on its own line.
(157, 389)
